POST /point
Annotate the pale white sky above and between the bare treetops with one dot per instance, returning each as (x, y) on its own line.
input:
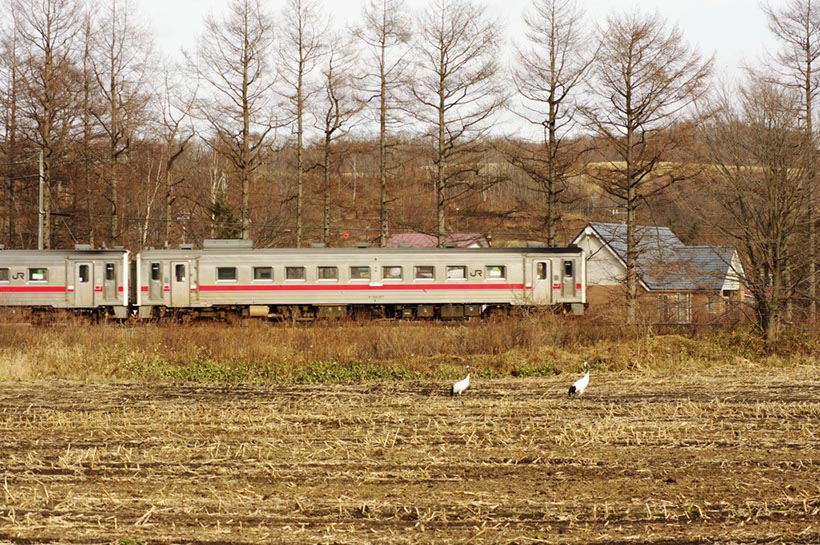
(734, 30)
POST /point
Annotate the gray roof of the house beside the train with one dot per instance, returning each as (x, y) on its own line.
(665, 263)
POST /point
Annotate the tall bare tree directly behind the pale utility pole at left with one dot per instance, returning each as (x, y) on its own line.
(47, 34)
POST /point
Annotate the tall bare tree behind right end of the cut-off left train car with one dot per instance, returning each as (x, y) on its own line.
(121, 63)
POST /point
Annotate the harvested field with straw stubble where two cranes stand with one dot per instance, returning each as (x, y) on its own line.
(724, 456)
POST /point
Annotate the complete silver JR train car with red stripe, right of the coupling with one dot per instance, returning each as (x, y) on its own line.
(230, 279)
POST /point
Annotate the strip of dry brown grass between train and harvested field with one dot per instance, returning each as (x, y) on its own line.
(540, 345)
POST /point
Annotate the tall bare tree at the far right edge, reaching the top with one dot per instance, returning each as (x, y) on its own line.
(796, 25)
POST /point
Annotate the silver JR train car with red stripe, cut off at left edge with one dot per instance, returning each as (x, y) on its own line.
(83, 280)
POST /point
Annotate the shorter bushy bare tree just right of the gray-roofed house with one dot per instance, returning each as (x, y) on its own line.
(755, 188)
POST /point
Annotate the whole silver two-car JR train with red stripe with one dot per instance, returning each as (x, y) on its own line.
(231, 279)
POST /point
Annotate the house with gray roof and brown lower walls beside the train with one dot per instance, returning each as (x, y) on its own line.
(677, 283)
